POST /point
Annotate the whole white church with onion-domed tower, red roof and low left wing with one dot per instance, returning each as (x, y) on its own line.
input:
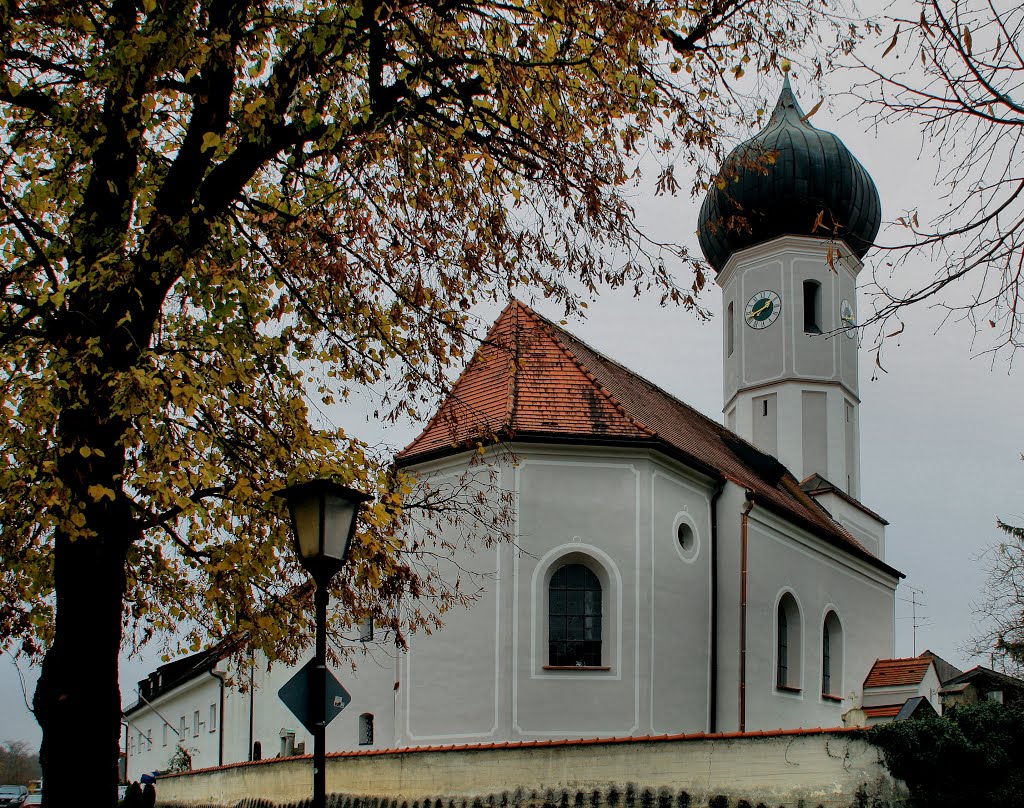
(668, 574)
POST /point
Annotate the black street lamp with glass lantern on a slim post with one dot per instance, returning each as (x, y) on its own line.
(324, 517)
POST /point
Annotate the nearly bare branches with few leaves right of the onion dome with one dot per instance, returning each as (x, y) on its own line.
(956, 67)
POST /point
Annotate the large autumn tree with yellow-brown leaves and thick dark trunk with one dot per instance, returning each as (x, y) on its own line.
(220, 217)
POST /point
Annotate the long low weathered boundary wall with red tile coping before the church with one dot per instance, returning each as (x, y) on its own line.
(798, 769)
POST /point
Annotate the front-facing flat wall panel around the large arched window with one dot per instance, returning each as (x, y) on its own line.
(575, 506)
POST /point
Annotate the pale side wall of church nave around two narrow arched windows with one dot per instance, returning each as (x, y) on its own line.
(782, 558)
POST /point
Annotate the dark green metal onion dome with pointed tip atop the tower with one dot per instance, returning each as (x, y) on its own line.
(787, 180)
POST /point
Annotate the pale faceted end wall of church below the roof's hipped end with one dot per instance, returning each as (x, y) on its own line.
(486, 675)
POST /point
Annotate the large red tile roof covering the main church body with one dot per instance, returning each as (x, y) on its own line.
(532, 380)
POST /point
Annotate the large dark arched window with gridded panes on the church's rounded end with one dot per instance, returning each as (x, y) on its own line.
(575, 618)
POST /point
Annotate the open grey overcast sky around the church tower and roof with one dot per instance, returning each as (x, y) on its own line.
(942, 432)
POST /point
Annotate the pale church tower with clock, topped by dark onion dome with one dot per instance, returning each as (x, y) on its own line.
(786, 228)
